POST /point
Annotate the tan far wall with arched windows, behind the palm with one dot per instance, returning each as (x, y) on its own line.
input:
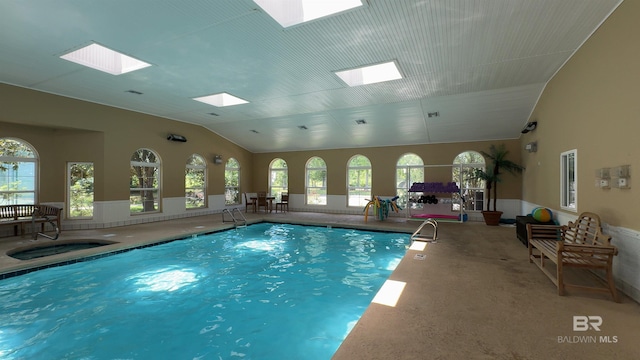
(383, 164)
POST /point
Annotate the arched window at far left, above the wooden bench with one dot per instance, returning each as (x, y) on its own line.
(18, 172)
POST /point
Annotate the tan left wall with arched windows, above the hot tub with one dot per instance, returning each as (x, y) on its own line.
(63, 129)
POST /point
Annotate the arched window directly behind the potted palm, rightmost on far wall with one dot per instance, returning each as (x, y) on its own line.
(471, 190)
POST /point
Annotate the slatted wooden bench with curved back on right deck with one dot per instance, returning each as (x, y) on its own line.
(580, 244)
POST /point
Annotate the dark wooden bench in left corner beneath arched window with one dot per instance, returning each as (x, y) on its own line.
(18, 215)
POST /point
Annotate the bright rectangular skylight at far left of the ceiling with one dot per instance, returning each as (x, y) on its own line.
(104, 59)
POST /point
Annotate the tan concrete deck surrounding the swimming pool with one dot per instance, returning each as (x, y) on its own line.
(471, 295)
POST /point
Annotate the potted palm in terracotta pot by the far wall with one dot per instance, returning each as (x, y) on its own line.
(497, 163)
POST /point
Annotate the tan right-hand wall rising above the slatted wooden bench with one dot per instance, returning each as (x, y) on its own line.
(592, 105)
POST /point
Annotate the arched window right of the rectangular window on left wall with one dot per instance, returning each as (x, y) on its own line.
(144, 185)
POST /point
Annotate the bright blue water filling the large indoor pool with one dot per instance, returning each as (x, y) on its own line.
(263, 292)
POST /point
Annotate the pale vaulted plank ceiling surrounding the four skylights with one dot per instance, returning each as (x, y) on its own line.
(480, 65)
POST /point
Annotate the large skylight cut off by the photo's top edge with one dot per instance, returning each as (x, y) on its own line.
(291, 12)
